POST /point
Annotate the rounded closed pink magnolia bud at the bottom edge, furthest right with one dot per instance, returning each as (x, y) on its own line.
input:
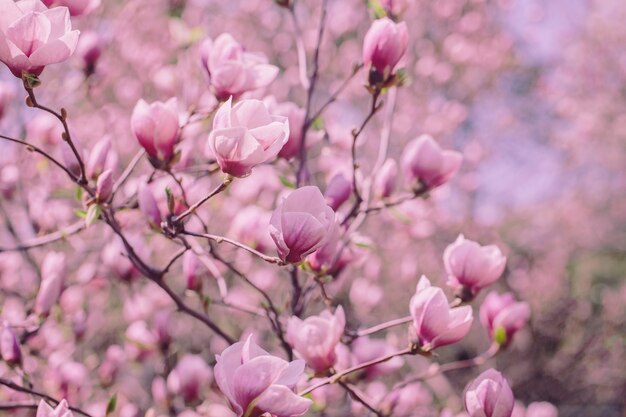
(489, 395)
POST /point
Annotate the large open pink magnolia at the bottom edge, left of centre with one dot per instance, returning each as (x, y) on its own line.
(256, 382)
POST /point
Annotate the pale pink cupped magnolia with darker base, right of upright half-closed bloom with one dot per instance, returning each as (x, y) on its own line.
(246, 135)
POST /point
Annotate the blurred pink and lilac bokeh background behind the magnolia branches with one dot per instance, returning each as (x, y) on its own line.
(532, 92)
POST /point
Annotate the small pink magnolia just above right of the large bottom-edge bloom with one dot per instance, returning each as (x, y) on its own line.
(315, 338)
